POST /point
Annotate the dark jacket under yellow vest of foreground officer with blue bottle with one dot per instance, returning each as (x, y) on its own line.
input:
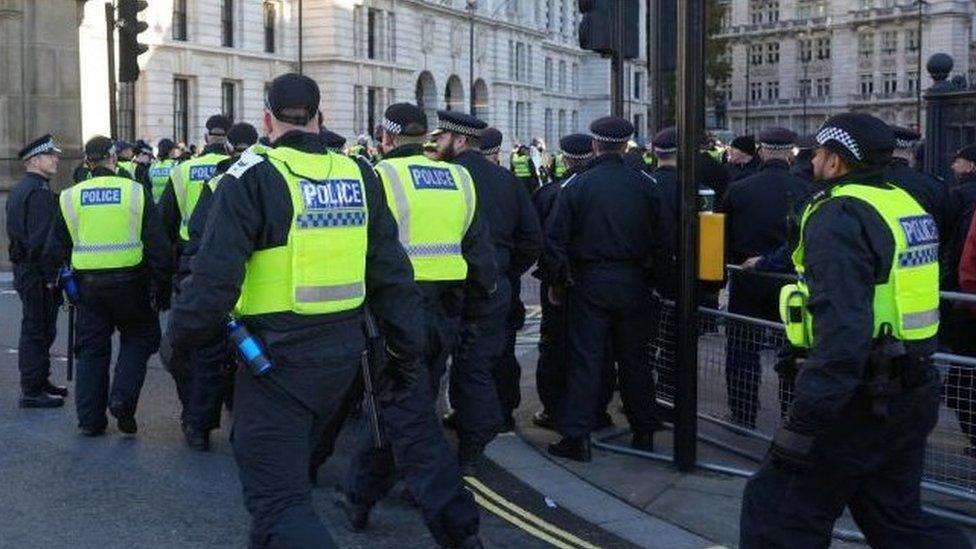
(254, 212)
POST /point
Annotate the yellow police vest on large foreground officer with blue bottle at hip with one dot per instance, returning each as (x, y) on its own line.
(321, 269)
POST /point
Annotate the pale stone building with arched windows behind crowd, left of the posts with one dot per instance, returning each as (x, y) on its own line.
(206, 56)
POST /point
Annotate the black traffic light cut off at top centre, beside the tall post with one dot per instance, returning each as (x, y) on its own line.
(610, 26)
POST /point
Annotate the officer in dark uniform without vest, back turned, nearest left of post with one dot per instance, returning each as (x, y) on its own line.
(601, 239)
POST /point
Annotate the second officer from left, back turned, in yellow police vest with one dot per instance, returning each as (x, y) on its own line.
(108, 232)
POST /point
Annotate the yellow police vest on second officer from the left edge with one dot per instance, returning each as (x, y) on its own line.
(104, 219)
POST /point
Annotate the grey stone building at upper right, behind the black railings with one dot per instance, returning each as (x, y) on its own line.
(830, 56)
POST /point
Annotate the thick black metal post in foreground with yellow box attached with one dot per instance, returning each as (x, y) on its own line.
(690, 115)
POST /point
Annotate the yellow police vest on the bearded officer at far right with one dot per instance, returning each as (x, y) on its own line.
(908, 301)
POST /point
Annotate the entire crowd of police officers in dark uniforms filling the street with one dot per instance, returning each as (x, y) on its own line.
(309, 248)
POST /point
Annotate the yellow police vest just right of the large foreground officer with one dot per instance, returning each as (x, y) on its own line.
(433, 203)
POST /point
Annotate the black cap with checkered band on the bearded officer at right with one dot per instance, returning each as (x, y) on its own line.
(858, 137)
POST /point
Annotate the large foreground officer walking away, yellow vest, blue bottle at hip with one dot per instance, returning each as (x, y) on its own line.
(298, 239)
